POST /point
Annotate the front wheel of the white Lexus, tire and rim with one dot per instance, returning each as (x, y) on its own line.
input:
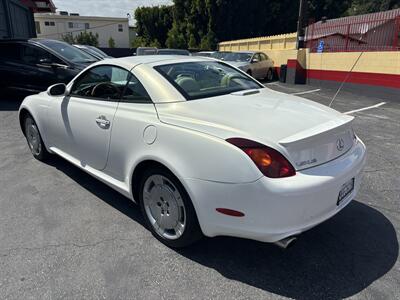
(34, 139)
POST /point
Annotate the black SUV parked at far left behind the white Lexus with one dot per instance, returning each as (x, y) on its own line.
(31, 66)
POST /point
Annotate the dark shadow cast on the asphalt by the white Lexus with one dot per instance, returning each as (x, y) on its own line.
(335, 260)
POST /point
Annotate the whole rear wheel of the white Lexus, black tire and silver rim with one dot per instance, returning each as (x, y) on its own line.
(167, 209)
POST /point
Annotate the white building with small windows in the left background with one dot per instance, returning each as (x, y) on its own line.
(54, 26)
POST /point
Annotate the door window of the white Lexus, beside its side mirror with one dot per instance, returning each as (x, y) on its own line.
(101, 83)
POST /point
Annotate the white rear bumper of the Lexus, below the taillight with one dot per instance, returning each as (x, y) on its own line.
(277, 208)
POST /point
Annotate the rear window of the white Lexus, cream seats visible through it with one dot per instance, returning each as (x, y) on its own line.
(195, 80)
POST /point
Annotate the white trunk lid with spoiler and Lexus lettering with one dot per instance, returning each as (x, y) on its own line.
(307, 133)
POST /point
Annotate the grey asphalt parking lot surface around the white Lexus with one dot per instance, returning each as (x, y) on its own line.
(64, 234)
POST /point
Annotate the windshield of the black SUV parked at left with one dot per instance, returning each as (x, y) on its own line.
(68, 52)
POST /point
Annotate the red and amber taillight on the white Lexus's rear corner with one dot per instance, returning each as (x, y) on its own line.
(270, 162)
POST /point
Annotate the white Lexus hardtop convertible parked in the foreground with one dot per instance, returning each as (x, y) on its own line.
(202, 147)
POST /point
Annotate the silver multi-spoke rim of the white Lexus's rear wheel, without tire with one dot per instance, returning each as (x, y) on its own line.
(164, 207)
